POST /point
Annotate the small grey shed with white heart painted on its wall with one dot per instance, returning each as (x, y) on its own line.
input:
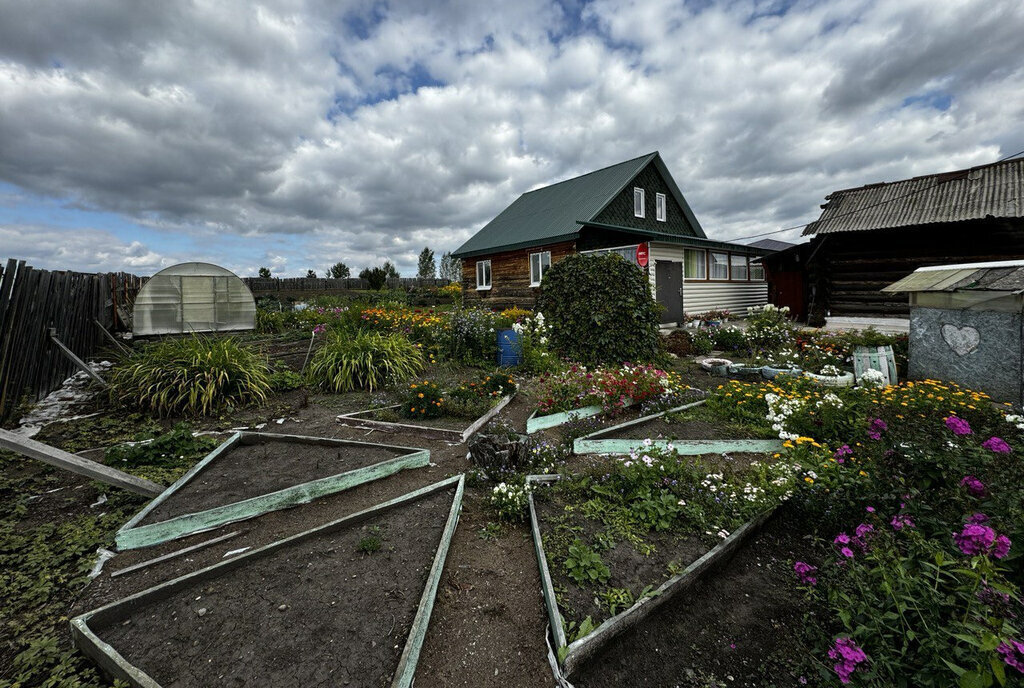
(966, 326)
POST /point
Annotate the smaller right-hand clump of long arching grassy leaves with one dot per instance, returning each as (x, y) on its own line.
(368, 361)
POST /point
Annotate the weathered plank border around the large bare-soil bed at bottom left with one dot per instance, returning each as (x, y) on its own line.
(115, 665)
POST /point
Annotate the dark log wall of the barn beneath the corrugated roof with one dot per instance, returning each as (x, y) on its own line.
(849, 270)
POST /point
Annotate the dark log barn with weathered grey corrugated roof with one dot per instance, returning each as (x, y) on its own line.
(870, 237)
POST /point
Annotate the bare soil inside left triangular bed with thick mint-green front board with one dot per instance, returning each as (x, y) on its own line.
(245, 471)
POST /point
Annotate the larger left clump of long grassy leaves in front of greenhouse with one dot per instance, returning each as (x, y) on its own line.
(196, 376)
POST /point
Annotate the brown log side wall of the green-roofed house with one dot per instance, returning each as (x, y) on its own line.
(509, 277)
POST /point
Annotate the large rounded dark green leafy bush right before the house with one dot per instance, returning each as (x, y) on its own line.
(601, 311)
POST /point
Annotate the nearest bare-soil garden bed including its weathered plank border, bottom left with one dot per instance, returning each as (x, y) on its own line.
(349, 601)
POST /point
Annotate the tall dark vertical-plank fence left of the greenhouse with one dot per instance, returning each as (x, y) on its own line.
(35, 303)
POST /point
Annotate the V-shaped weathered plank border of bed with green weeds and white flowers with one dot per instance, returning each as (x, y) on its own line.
(574, 655)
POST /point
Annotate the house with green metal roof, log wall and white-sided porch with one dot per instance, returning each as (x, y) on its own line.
(634, 209)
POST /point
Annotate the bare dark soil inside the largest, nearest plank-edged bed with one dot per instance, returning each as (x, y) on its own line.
(316, 613)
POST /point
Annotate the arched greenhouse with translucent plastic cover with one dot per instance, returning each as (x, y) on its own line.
(194, 297)
